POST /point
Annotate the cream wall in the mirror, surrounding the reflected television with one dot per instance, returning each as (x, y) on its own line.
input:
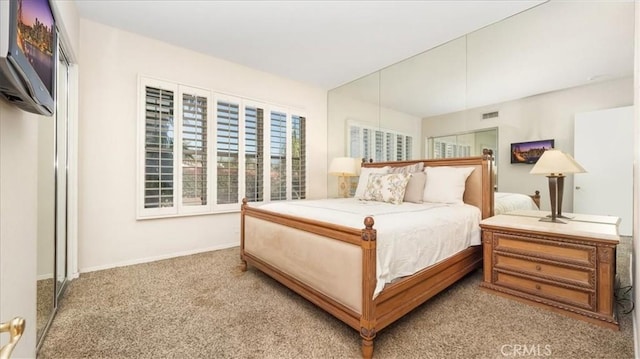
(545, 116)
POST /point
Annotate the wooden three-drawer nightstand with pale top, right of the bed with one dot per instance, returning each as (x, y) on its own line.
(567, 267)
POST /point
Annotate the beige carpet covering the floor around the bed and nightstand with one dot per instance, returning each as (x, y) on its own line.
(203, 306)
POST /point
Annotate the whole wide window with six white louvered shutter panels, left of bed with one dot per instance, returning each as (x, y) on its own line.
(181, 170)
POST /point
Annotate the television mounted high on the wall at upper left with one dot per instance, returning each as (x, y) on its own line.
(28, 55)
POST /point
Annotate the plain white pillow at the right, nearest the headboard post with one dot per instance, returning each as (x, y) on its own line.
(445, 184)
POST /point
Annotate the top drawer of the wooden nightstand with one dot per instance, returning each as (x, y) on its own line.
(542, 248)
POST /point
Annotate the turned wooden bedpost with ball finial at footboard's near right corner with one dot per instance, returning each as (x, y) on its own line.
(368, 320)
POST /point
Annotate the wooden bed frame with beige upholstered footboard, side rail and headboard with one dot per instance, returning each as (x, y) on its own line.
(397, 298)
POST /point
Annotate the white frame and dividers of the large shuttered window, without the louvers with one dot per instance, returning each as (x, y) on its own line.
(212, 206)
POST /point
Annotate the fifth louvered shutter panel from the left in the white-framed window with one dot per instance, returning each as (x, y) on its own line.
(278, 156)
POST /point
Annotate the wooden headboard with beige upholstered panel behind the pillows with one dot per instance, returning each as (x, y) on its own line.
(479, 186)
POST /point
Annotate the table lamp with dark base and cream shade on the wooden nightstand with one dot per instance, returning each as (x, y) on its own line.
(555, 165)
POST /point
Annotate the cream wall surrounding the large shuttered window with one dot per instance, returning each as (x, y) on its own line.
(111, 60)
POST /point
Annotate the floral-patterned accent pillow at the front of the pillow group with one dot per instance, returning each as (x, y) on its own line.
(386, 187)
